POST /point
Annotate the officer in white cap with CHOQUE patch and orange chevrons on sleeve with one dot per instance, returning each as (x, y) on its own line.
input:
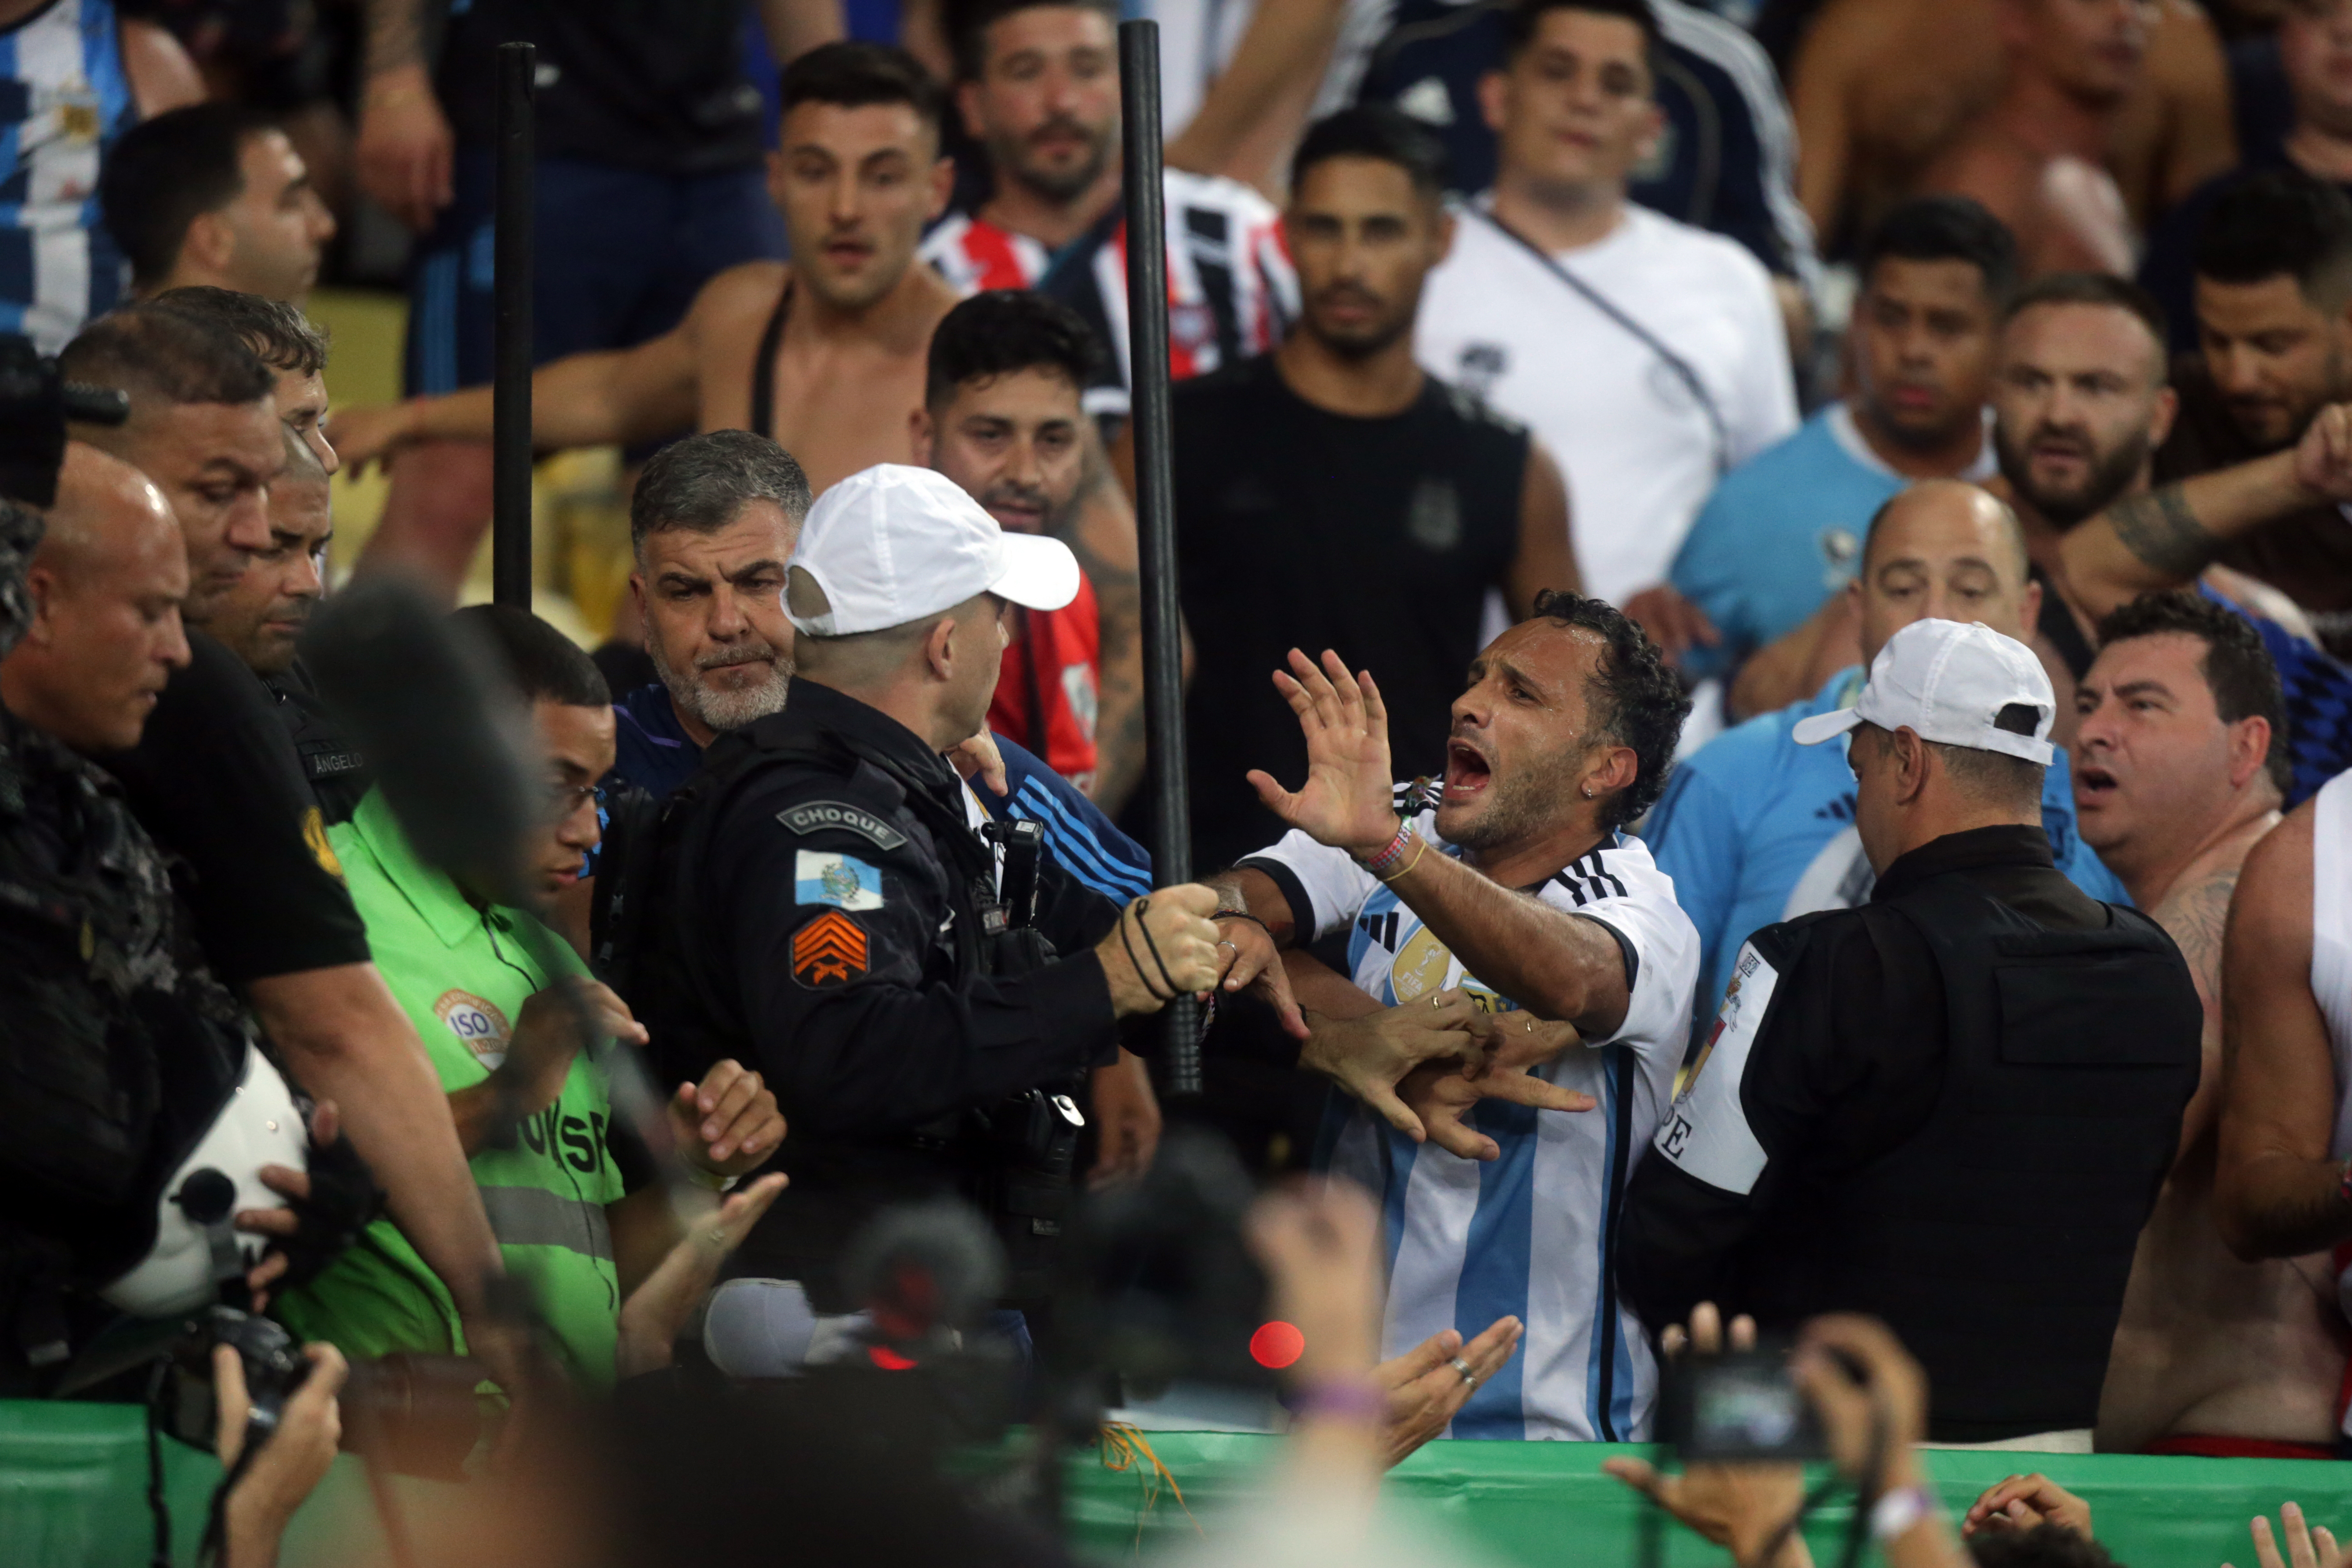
(921, 998)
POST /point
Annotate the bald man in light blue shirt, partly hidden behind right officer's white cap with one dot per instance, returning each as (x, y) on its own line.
(1756, 829)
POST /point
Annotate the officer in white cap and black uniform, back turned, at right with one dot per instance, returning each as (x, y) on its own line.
(1951, 1106)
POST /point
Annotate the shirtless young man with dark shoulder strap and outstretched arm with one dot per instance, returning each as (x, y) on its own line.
(824, 354)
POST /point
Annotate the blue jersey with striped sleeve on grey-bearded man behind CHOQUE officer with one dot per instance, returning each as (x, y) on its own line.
(657, 756)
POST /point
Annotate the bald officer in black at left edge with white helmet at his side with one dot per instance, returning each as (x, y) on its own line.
(128, 1064)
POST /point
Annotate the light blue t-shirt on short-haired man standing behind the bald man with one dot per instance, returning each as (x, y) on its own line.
(1782, 535)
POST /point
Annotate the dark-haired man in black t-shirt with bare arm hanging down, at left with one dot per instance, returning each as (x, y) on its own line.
(218, 784)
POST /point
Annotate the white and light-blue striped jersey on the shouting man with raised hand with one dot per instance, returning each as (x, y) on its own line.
(1525, 1235)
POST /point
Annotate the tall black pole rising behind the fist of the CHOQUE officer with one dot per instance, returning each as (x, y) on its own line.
(1156, 502)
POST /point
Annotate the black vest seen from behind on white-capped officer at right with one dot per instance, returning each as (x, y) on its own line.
(1998, 1240)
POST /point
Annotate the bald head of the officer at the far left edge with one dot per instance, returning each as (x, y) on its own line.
(107, 584)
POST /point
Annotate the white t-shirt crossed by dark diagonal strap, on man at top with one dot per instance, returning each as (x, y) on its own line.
(1652, 375)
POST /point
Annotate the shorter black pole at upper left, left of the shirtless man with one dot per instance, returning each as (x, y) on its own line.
(512, 307)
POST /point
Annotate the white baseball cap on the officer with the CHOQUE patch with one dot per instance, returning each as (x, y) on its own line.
(897, 544)
